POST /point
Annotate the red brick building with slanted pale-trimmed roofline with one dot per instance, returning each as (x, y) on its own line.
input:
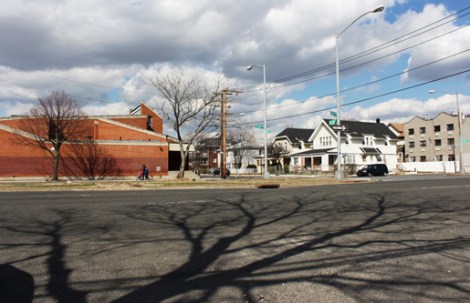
(116, 146)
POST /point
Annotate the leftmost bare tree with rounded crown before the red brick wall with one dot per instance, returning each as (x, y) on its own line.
(52, 121)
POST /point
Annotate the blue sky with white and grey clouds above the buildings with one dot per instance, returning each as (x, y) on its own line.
(105, 54)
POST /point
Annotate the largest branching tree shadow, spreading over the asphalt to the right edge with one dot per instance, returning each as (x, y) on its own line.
(243, 250)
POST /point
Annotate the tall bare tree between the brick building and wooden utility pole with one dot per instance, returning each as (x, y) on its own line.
(189, 106)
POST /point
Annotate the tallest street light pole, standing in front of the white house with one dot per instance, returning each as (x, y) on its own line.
(339, 173)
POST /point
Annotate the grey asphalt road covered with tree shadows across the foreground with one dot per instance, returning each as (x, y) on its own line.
(388, 241)
